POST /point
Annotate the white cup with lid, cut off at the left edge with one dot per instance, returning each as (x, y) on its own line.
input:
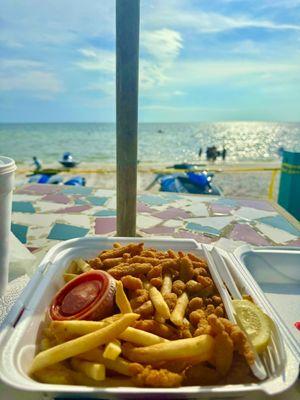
(7, 171)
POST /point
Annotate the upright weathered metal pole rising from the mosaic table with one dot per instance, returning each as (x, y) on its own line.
(127, 47)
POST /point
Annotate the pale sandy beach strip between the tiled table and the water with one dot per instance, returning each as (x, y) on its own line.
(248, 179)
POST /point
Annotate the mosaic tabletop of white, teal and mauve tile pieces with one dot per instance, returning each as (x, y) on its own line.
(45, 214)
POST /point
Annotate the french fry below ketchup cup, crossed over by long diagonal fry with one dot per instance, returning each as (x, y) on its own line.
(70, 329)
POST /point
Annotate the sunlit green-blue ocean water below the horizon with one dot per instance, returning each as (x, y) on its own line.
(158, 142)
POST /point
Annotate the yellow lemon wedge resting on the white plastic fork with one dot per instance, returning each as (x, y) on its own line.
(254, 322)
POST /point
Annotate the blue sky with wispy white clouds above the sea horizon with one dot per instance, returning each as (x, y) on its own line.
(200, 60)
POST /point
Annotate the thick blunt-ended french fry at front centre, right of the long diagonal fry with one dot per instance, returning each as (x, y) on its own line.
(200, 347)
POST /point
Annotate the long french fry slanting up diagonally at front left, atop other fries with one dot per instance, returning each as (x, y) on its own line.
(82, 344)
